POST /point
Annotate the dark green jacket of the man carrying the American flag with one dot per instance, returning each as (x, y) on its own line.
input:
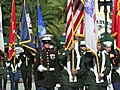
(62, 56)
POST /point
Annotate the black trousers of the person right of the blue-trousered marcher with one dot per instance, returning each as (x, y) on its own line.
(27, 79)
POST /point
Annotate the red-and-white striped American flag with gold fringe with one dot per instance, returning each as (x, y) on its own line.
(75, 13)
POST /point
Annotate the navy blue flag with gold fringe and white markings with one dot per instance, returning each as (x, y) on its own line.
(26, 33)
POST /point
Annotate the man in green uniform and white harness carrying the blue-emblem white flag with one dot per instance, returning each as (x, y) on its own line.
(97, 80)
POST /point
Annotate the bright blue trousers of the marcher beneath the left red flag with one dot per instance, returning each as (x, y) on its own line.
(14, 79)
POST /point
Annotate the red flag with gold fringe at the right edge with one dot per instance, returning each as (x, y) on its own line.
(115, 33)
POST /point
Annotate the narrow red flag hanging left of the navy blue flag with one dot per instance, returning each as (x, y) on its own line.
(12, 31)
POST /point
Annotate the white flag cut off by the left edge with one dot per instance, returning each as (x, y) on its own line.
(1, 32)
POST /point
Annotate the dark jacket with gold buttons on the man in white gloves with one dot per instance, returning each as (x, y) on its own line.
(48, 78)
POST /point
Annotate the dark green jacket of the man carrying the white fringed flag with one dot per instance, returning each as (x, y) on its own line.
(91, 78)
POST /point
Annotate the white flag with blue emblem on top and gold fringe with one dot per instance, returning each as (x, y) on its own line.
(91, 31)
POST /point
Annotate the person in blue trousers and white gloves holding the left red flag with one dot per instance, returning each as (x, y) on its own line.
(13, 67)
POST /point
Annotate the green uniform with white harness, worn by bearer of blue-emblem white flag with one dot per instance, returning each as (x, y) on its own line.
(92, 81)
